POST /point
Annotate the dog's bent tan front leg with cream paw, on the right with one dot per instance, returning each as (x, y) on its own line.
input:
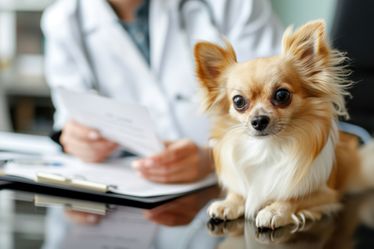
(298, 211)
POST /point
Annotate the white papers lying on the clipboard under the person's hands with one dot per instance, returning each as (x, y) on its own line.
(117, 173)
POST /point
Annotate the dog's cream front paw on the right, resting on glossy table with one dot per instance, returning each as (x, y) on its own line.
(272, 217)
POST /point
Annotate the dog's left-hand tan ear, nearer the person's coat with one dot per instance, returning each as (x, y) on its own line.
(211, 63)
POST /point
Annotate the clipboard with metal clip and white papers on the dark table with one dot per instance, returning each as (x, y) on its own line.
(115, 178)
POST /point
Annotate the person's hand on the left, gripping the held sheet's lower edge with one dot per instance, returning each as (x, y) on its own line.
(85, 143)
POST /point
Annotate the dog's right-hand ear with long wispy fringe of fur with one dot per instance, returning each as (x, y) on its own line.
(323, 67)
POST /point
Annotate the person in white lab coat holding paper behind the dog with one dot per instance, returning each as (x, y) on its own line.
(140, 51)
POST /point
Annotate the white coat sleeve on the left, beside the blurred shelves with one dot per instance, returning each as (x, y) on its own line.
(62, 66)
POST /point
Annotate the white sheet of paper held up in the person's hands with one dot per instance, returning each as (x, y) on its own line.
(127, 124)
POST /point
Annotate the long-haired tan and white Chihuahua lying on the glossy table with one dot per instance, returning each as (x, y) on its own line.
(276, 144)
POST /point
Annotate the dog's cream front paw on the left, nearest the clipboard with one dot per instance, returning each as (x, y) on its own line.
(228, 209)
